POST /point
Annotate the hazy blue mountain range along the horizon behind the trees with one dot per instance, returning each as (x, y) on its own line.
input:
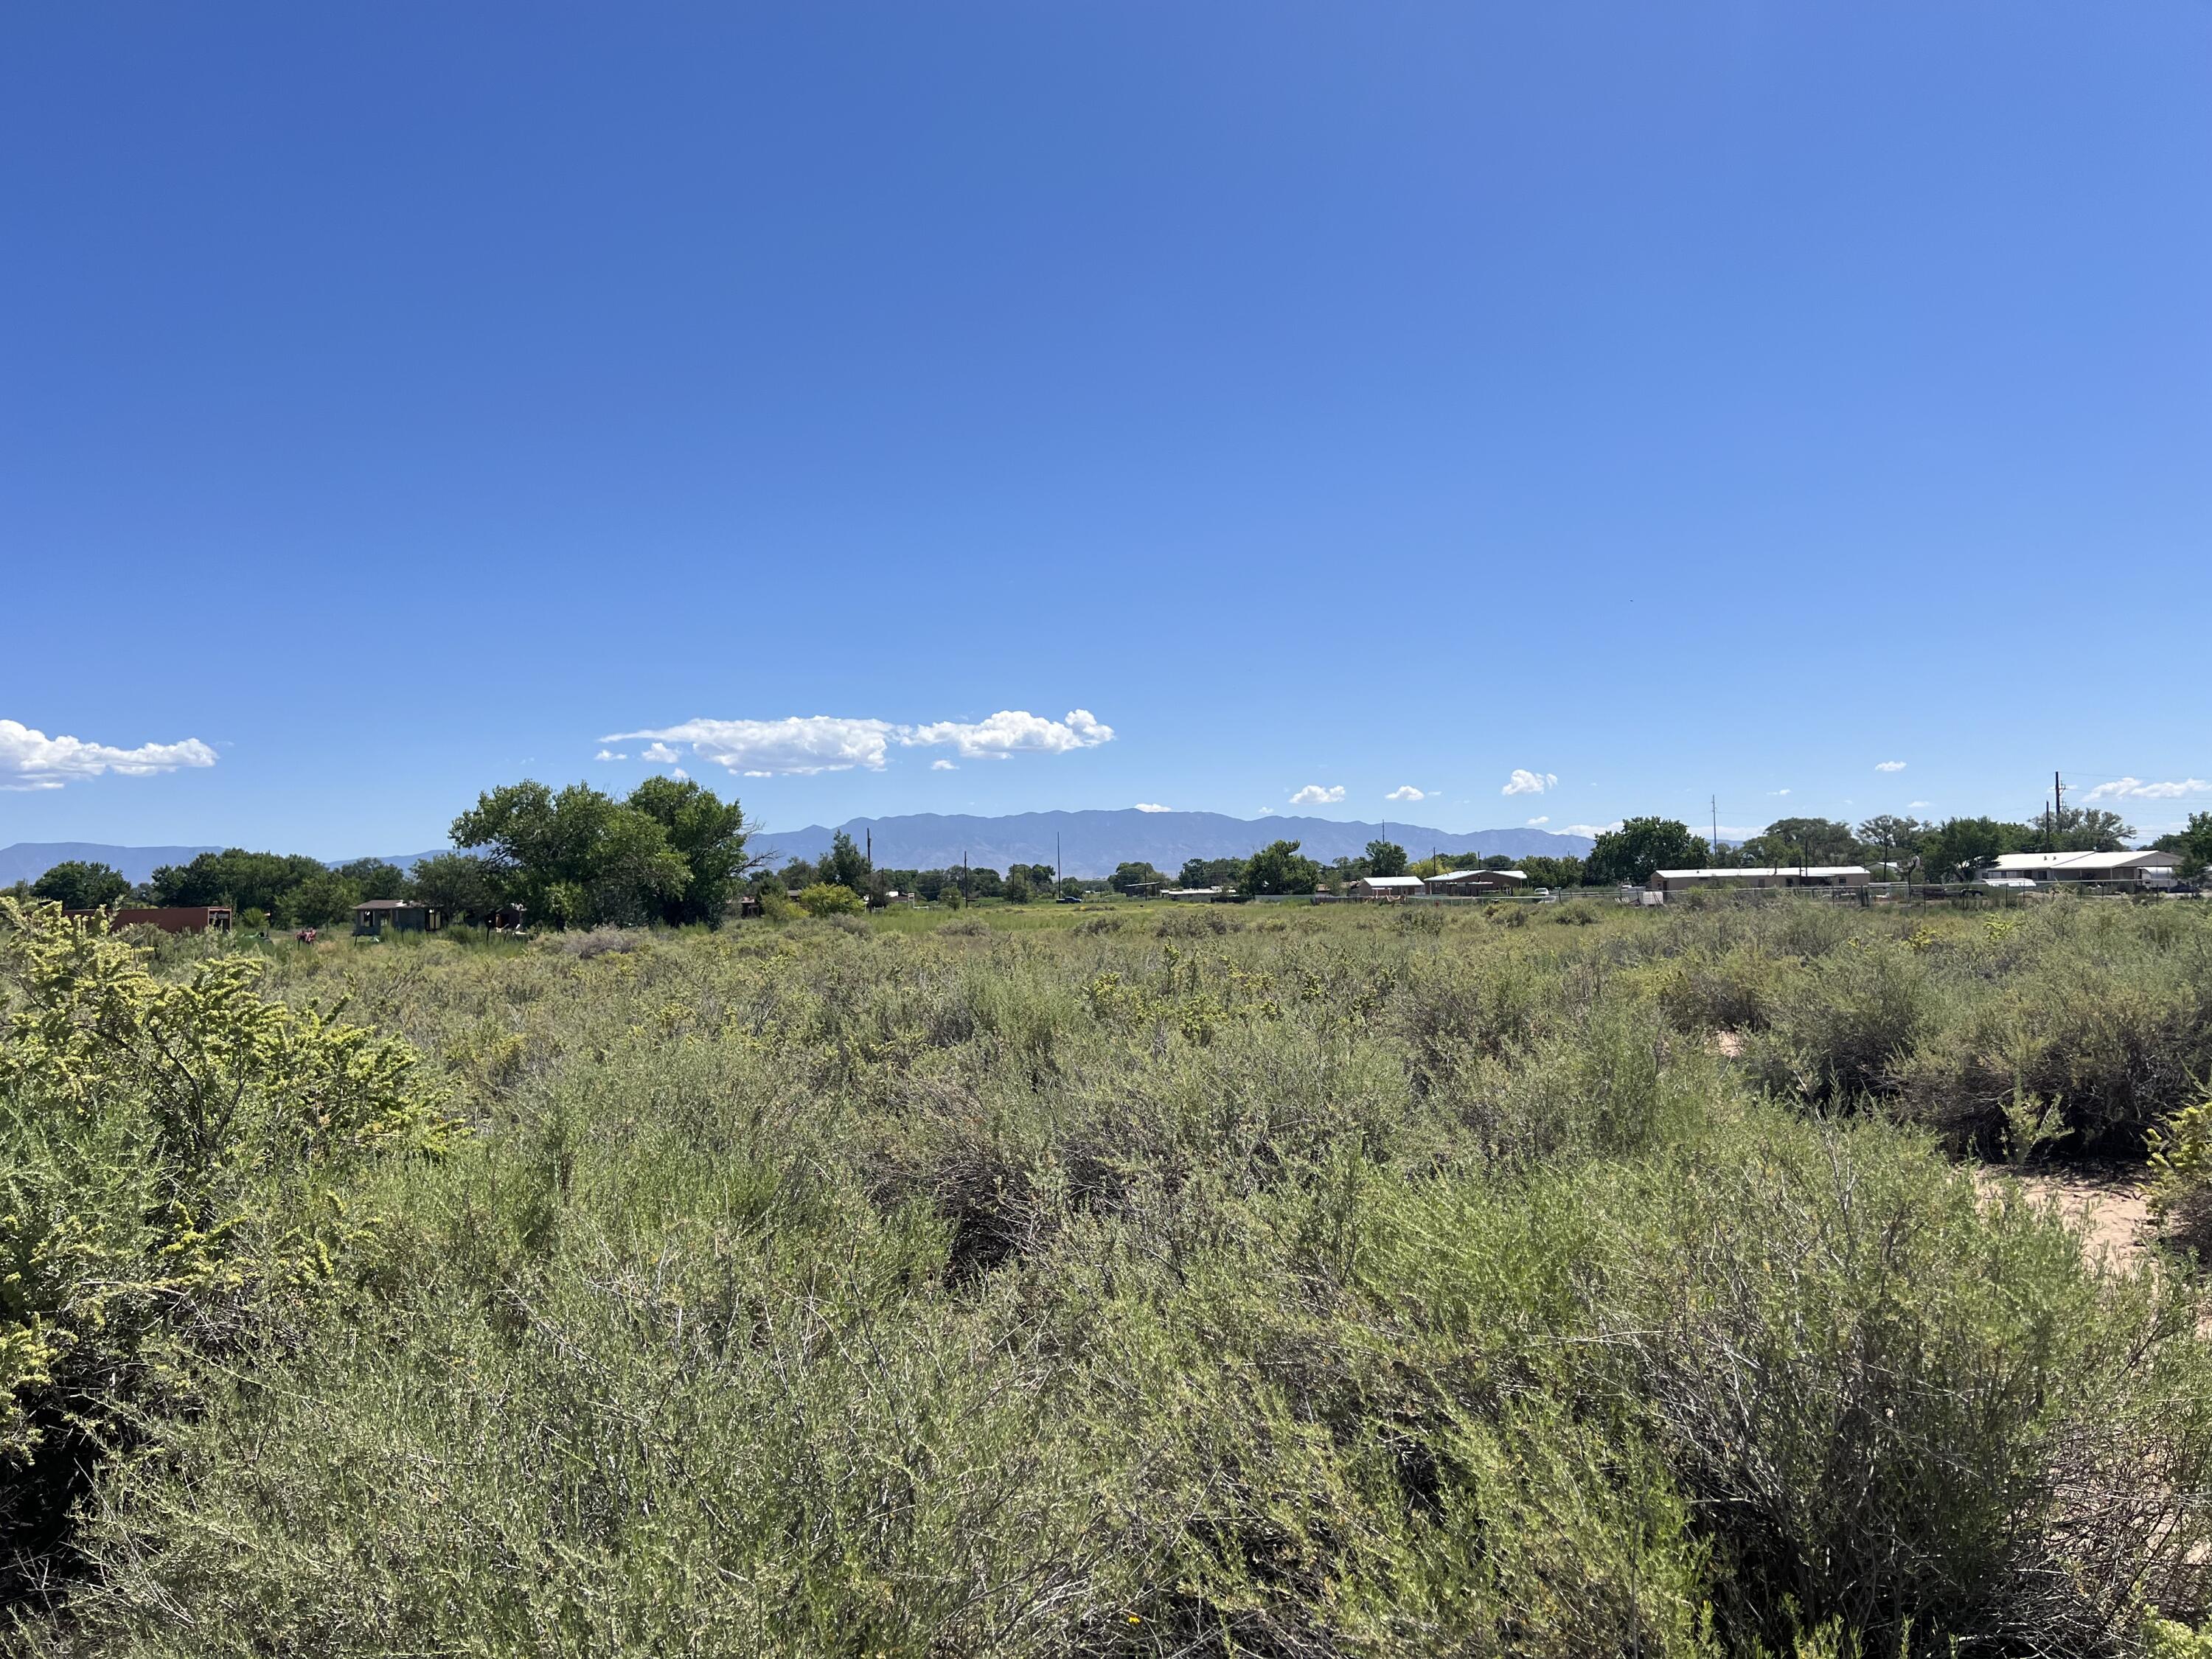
(1092, 844)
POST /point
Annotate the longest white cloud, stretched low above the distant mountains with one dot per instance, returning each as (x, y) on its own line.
(808, 744)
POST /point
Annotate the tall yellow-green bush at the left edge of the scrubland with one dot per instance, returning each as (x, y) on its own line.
(176, 1162)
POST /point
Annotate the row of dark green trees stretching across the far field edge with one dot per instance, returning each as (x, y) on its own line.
(676, 853)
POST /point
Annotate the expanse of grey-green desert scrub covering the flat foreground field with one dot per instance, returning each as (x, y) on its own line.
(1145, 1282)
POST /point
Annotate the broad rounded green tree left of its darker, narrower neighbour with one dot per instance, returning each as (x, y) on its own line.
(578, 857)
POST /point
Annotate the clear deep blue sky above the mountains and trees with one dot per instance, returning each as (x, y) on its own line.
(1647, 401)
